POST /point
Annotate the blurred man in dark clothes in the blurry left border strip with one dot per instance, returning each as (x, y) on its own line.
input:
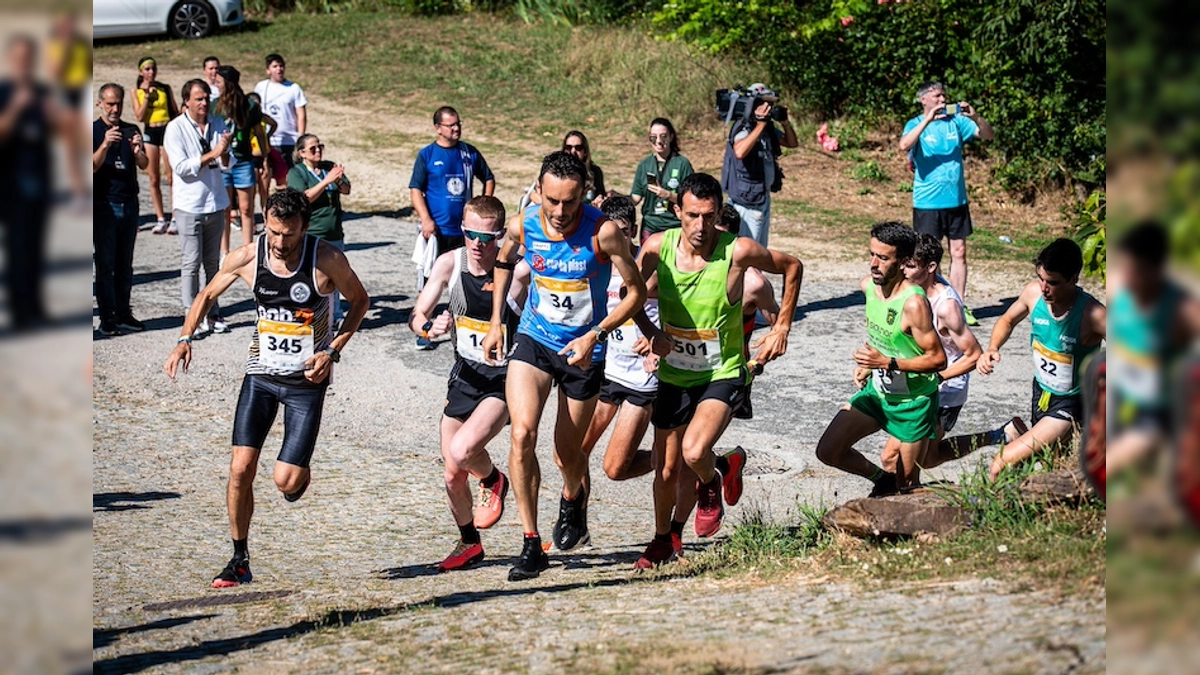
(28, 114)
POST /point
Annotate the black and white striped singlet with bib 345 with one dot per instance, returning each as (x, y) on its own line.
(295, 319)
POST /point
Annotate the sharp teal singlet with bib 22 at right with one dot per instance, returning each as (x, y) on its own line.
(1058, 355)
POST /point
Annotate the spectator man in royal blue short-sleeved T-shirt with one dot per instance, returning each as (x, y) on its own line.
(443, 178)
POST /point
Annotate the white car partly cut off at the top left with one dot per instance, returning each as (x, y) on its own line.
(178, 19)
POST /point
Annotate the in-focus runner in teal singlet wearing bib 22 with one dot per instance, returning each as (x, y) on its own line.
(1067, 327)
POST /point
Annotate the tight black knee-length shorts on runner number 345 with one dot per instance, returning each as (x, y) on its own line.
(260, 402)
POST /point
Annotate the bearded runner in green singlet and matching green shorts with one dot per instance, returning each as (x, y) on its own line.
(904, 355)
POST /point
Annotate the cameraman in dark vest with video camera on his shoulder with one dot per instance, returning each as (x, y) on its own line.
(751, 174)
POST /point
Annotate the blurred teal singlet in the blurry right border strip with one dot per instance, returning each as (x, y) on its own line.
(1141, 347)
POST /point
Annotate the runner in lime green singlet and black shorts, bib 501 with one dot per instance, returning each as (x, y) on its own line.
(698, 274)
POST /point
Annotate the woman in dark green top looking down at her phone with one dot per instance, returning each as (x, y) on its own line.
(657, 180)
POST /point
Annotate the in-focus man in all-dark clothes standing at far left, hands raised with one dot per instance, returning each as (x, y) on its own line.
(118, 153)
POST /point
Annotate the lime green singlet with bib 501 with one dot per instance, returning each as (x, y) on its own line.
(695, 310)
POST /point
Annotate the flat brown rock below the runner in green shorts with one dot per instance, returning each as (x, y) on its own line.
(908, 516)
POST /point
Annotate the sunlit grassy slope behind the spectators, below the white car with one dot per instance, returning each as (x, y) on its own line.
(506, 77)
